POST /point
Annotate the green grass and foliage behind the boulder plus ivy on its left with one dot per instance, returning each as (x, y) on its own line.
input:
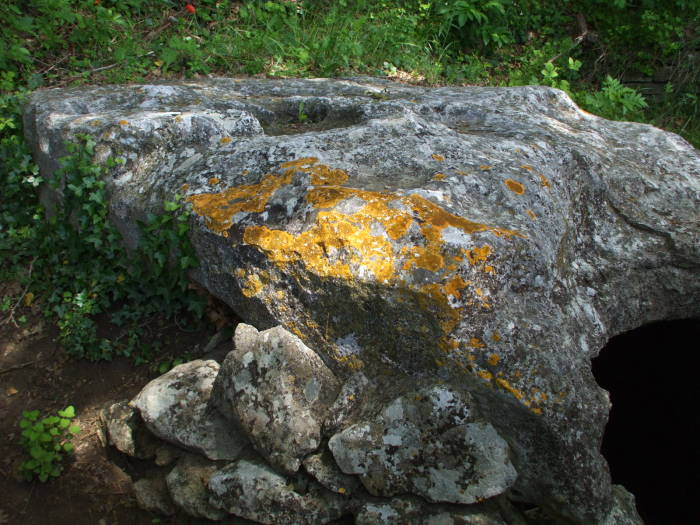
(584, 47)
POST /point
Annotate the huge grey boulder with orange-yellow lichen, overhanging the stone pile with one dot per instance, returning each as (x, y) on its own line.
(493, 238)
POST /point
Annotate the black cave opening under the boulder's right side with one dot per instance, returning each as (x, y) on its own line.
(651, 442)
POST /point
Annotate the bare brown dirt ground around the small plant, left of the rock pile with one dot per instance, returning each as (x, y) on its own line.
(35, 373)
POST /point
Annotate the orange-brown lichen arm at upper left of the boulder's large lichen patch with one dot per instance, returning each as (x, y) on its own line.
(219, 208)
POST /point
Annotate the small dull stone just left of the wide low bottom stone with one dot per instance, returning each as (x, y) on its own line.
(187, 485)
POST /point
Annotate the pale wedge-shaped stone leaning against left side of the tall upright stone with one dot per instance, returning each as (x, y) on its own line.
(176, 408)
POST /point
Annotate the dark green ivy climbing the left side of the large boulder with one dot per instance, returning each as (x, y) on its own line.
(130, 286)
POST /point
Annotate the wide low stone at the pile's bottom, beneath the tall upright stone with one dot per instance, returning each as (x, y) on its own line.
(253, 490)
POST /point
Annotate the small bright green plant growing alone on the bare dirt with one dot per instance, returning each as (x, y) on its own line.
(46, 440)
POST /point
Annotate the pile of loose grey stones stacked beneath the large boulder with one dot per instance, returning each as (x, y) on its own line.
(271, 435)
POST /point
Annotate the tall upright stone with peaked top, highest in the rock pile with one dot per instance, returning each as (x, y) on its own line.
(279, 390)
